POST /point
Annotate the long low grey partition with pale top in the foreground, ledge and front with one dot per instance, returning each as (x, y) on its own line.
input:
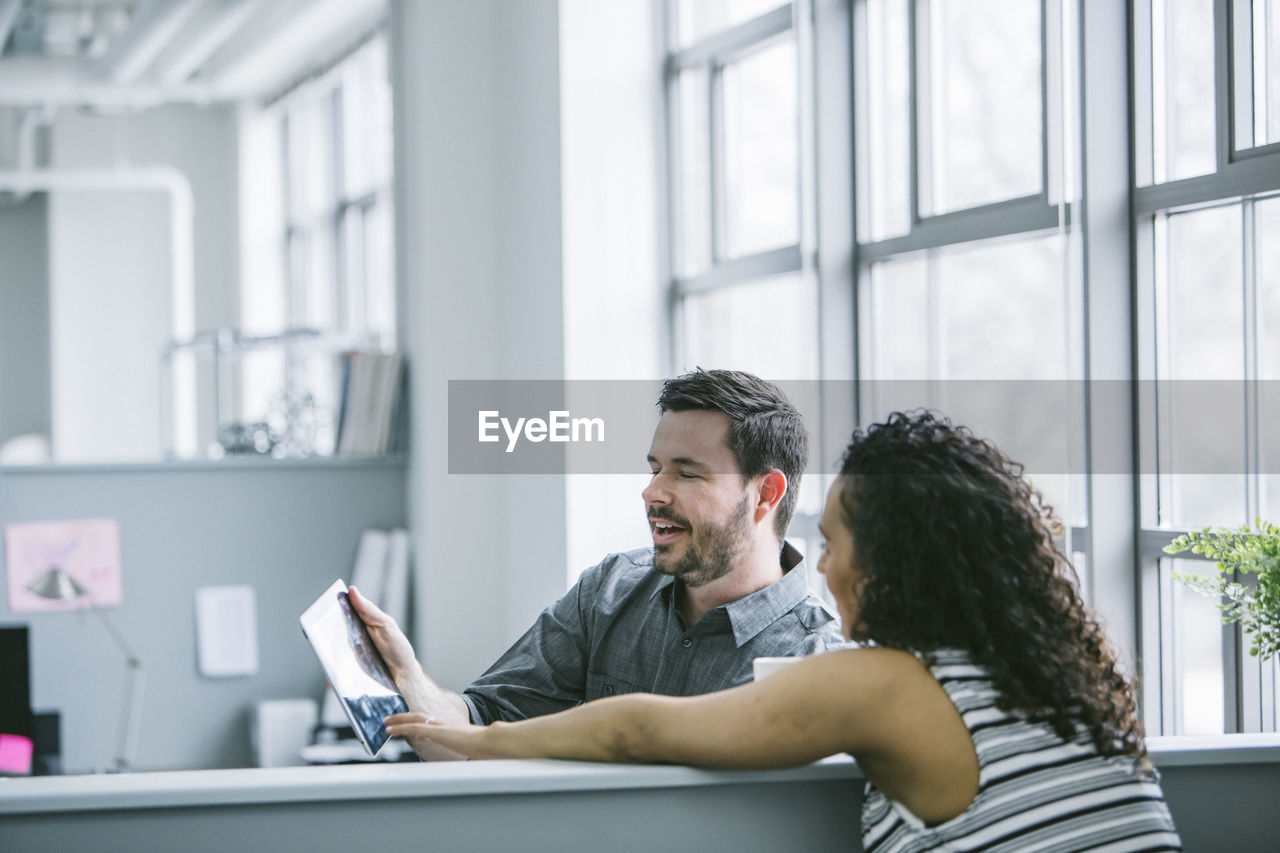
(1222, 791)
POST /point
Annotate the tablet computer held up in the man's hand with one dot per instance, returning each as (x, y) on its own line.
(355, 669)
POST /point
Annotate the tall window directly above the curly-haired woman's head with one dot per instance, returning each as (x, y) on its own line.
(967, 254)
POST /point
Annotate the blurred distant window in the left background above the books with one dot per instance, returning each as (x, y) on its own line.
(319, 231)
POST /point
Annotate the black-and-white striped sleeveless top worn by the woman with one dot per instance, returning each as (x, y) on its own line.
(1036, 791)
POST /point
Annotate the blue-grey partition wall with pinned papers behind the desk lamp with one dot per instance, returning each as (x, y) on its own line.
(287, 530)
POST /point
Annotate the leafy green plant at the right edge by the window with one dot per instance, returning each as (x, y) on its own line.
(1244, 551)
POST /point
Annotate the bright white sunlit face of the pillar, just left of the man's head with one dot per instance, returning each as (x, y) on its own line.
(615, 289)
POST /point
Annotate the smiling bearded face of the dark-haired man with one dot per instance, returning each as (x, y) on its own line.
(700, 509)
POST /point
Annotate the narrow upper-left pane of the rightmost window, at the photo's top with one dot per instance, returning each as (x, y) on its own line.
(1182, 74)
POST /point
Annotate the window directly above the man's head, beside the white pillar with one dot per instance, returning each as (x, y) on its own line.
(739, 165)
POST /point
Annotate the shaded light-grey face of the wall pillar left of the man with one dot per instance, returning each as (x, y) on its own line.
(479, 263)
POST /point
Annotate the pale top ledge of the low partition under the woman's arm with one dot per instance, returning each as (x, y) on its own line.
(456, 779)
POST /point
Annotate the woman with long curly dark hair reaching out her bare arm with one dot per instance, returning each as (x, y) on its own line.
(986, 710)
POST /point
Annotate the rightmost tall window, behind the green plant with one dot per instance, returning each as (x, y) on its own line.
(1208, 170)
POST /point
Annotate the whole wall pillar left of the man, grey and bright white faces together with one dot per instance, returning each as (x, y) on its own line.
(529, 195)
